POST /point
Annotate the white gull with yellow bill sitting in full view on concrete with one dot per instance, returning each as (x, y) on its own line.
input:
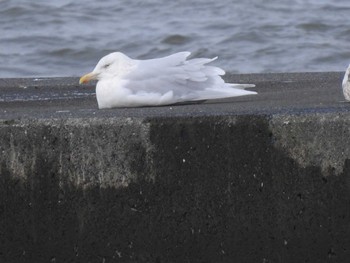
(125, 82)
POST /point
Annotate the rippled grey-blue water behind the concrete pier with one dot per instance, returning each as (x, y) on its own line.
(67, 38)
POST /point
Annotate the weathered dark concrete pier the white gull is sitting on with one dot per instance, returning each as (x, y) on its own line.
(261, 178)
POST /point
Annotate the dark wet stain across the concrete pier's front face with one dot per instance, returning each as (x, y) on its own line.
(221, 192)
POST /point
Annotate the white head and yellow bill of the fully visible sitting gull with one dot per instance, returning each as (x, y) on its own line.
(113, 65)
